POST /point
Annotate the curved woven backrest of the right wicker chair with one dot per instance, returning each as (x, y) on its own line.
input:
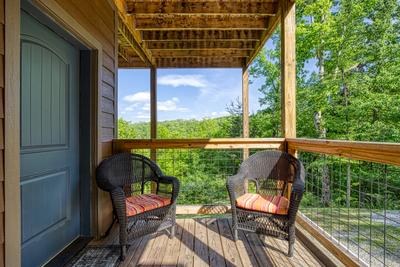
(272, 170)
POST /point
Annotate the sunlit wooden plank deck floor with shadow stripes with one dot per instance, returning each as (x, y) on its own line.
(208, 242)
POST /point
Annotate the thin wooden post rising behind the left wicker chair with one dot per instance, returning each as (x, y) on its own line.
(153, 116)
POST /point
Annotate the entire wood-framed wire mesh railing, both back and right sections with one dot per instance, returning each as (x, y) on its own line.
(352, 197)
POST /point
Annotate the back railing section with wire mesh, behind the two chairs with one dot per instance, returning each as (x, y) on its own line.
(201, 165)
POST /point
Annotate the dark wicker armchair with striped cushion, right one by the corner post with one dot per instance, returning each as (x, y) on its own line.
(267, 211)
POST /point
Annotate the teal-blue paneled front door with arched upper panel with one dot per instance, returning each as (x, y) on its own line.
(50, 210)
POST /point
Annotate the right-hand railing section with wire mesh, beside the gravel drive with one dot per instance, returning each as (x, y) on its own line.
(353, 196)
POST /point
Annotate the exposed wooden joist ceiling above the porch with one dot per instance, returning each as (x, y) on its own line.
(193, 33)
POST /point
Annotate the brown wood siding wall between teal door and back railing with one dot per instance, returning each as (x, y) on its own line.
(99, 18)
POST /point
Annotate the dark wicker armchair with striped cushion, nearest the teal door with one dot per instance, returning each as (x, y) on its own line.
(127, 176)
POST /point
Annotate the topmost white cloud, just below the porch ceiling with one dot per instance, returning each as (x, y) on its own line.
(197, 81)
